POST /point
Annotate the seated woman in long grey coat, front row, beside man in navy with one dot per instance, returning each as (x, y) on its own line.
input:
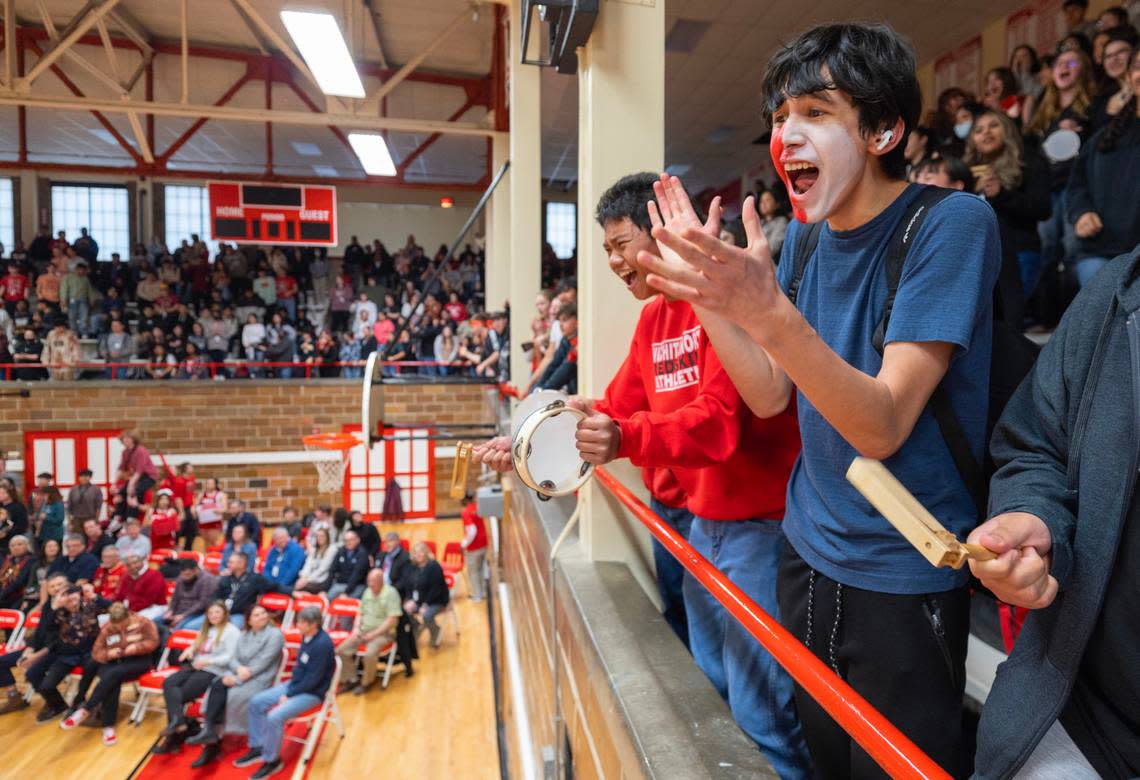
(251, 670)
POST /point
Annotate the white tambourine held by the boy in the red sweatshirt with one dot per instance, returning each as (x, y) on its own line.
(545, 452)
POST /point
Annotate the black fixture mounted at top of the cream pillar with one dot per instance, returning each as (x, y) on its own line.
(553, 30)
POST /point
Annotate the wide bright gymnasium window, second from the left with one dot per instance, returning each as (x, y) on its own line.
(105, 212)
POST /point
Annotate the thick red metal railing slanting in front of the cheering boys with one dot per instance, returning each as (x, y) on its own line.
(894, 752)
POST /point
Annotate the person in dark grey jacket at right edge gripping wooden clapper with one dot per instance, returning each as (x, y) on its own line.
(1068, 529)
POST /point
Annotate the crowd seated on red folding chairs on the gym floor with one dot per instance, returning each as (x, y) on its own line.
(108, 603)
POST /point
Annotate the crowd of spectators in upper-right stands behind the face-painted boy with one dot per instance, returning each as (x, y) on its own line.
(1054, 147)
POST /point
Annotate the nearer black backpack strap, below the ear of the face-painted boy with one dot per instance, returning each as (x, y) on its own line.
(968, 467)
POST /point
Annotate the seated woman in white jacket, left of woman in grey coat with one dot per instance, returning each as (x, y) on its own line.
(202, 663)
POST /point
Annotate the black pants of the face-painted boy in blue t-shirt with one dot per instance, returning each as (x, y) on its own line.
(903, 654)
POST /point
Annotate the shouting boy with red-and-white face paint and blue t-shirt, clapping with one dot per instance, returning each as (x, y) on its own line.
(843, 100)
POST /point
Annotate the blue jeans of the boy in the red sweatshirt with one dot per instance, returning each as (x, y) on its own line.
(759, 692)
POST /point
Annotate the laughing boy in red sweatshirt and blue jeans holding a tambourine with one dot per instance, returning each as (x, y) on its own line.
(673, 410)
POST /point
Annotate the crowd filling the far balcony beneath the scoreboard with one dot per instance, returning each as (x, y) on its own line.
(192, 314)
